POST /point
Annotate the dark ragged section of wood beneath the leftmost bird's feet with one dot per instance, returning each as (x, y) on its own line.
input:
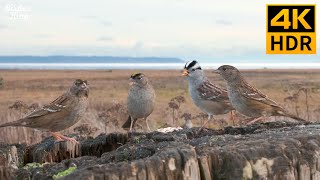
(50, 151)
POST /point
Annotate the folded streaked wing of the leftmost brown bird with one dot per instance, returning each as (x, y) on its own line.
(55, 106)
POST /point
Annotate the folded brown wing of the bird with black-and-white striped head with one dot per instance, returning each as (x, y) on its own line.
(211, 92)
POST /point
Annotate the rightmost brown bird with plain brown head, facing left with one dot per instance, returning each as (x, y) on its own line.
(249, 100)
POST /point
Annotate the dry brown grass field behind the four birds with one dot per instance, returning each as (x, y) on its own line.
(23, 90)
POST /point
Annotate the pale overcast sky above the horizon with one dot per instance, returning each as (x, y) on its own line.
(187, 29)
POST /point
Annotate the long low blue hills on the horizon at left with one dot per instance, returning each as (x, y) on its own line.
(87, 59)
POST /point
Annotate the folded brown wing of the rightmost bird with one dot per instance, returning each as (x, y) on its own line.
(253, 93)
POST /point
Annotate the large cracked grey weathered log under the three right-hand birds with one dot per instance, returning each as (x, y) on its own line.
(263, 151)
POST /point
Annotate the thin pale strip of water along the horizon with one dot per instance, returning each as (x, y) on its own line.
(154, 65)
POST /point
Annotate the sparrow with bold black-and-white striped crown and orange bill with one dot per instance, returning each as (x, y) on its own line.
(206, 95)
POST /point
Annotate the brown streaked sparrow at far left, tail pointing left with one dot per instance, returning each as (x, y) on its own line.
(60, 114)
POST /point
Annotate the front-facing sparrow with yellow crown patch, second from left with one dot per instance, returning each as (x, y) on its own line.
(141, 100)
